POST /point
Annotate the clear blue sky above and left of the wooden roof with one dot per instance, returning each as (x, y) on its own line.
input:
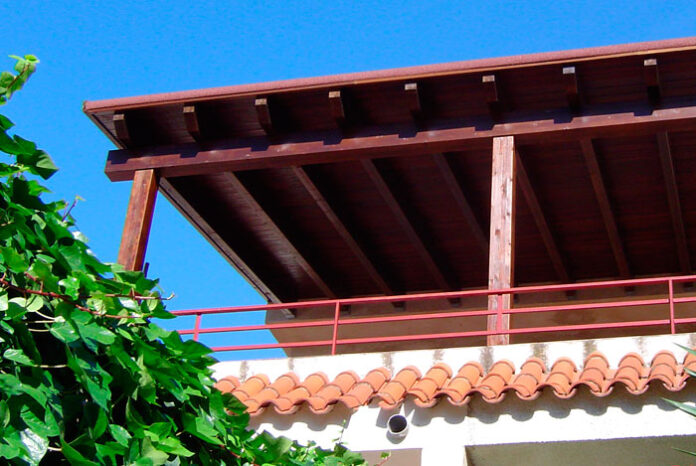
(93, 50)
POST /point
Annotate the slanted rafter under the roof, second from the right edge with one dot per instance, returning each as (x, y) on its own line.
(588, 152)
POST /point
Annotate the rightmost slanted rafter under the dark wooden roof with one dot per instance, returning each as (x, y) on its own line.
(674, 202)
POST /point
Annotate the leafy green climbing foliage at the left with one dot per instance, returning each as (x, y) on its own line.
(85, 376)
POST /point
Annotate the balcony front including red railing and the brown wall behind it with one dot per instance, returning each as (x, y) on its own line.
(650, 306)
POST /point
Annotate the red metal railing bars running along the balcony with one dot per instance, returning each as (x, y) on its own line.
(338, 321)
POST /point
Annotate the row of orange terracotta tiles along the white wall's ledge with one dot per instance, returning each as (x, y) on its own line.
(286, 394)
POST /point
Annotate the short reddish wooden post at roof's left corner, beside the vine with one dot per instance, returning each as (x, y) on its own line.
(138, 219)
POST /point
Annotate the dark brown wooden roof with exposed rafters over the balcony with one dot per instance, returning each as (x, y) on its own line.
(380, 182)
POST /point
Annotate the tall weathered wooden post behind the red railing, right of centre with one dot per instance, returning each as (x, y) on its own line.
(501, 262)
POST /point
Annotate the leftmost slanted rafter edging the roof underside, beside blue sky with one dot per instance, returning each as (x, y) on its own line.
(220, 245)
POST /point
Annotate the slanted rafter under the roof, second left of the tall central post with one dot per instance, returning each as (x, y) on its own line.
(401, 218)
